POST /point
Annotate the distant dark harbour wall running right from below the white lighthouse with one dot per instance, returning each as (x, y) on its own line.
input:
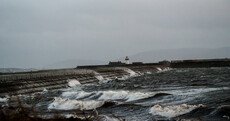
(194, 63)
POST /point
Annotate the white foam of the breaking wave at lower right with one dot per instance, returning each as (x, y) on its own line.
(172, 111)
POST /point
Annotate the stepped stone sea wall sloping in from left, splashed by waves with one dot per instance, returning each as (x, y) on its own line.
(37, 81)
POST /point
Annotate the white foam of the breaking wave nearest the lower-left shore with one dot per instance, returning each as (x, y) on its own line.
(67, 104)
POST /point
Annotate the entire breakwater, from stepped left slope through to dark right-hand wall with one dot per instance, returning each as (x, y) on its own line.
(37, 81)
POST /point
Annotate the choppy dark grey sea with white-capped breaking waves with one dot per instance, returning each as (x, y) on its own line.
(173, 94)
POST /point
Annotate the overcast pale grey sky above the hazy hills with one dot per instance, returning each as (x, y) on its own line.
(38, 33)
